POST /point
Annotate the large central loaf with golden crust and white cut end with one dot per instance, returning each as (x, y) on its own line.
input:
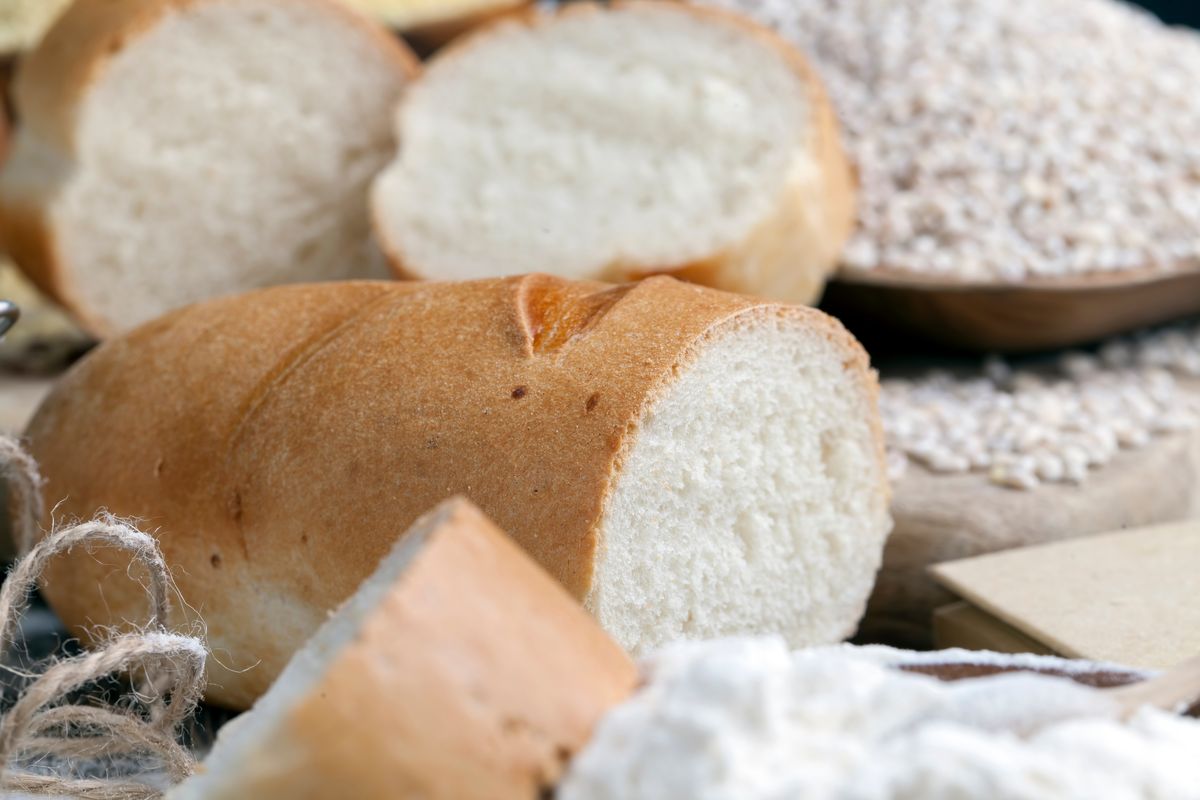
(689, 464)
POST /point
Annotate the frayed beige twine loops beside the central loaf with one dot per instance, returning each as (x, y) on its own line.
(38, 727)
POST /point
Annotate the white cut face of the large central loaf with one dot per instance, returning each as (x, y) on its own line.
(753, 498)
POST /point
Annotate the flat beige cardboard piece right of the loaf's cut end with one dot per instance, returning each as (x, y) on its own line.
(1131, 598)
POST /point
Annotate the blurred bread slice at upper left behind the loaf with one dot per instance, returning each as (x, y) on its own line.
(172, 152)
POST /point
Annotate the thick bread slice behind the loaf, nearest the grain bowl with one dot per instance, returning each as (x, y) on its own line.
(610, 143)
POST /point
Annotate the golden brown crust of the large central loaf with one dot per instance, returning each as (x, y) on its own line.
(280, 440)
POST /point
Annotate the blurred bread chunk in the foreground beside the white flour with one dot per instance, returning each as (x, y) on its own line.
(460, 671)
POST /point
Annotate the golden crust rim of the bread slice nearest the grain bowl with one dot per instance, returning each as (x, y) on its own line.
(789, 256)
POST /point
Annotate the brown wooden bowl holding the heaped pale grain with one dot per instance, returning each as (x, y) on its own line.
(1033, 316)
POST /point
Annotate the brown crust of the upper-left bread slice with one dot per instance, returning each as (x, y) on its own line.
(51, 85)
